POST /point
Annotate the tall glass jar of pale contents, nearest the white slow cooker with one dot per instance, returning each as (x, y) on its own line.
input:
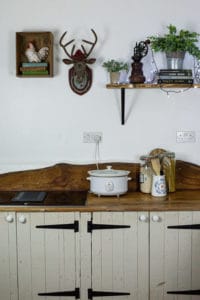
(146, 174)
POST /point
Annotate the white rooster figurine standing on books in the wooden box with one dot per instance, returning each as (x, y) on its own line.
(36, 56)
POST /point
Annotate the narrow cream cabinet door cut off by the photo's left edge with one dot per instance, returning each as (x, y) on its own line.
(8, 257)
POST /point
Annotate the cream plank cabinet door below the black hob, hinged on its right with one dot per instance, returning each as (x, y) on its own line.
(47, 256)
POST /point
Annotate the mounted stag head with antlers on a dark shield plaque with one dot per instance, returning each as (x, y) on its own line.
(80, 75)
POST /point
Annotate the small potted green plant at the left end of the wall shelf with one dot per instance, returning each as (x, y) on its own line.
(114, 67)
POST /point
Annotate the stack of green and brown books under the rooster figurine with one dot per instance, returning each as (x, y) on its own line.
(34, 68)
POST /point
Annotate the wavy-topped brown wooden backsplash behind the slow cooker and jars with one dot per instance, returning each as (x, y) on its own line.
(73, 177)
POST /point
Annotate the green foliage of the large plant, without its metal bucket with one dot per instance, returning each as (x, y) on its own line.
(174, 41)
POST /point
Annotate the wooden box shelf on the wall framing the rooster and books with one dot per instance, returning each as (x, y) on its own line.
(40, 39)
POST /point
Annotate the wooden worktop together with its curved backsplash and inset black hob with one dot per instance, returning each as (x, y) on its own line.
(67, 190)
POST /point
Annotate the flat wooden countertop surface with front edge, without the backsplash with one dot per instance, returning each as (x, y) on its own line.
(184, 200)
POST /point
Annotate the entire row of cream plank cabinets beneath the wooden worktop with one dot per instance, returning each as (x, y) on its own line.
(100, 255)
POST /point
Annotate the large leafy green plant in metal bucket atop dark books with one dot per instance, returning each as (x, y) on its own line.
(175, 44)
